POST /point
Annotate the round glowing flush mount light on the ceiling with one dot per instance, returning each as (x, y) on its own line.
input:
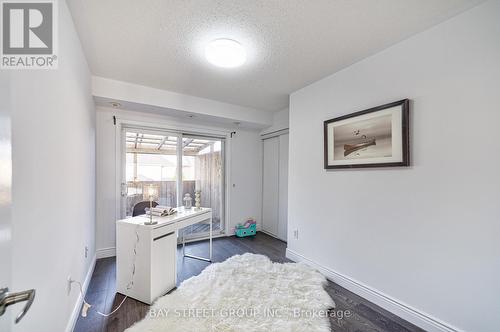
(226, 53)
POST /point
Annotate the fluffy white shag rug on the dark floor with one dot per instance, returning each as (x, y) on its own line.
(244, 293)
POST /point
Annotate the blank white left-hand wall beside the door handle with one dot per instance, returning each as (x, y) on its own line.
(53, 125)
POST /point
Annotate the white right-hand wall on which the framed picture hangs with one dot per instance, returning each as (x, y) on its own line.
(428, 235)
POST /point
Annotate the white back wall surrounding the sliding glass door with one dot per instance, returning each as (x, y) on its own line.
(245, 171)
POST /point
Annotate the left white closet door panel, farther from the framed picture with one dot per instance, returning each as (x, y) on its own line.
(270, 197)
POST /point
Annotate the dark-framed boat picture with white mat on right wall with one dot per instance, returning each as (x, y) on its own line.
(376, 137)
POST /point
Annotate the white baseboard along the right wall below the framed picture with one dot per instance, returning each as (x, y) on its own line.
(408, 313)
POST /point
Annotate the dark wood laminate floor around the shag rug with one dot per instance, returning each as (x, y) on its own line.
(364, 315)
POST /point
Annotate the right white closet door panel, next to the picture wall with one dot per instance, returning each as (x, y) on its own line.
(283, 188)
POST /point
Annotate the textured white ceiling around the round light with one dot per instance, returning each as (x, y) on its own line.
(290, 43)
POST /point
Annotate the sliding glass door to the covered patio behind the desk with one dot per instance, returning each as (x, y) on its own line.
(173, 163)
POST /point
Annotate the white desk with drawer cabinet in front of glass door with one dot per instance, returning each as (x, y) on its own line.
(155, 248)
